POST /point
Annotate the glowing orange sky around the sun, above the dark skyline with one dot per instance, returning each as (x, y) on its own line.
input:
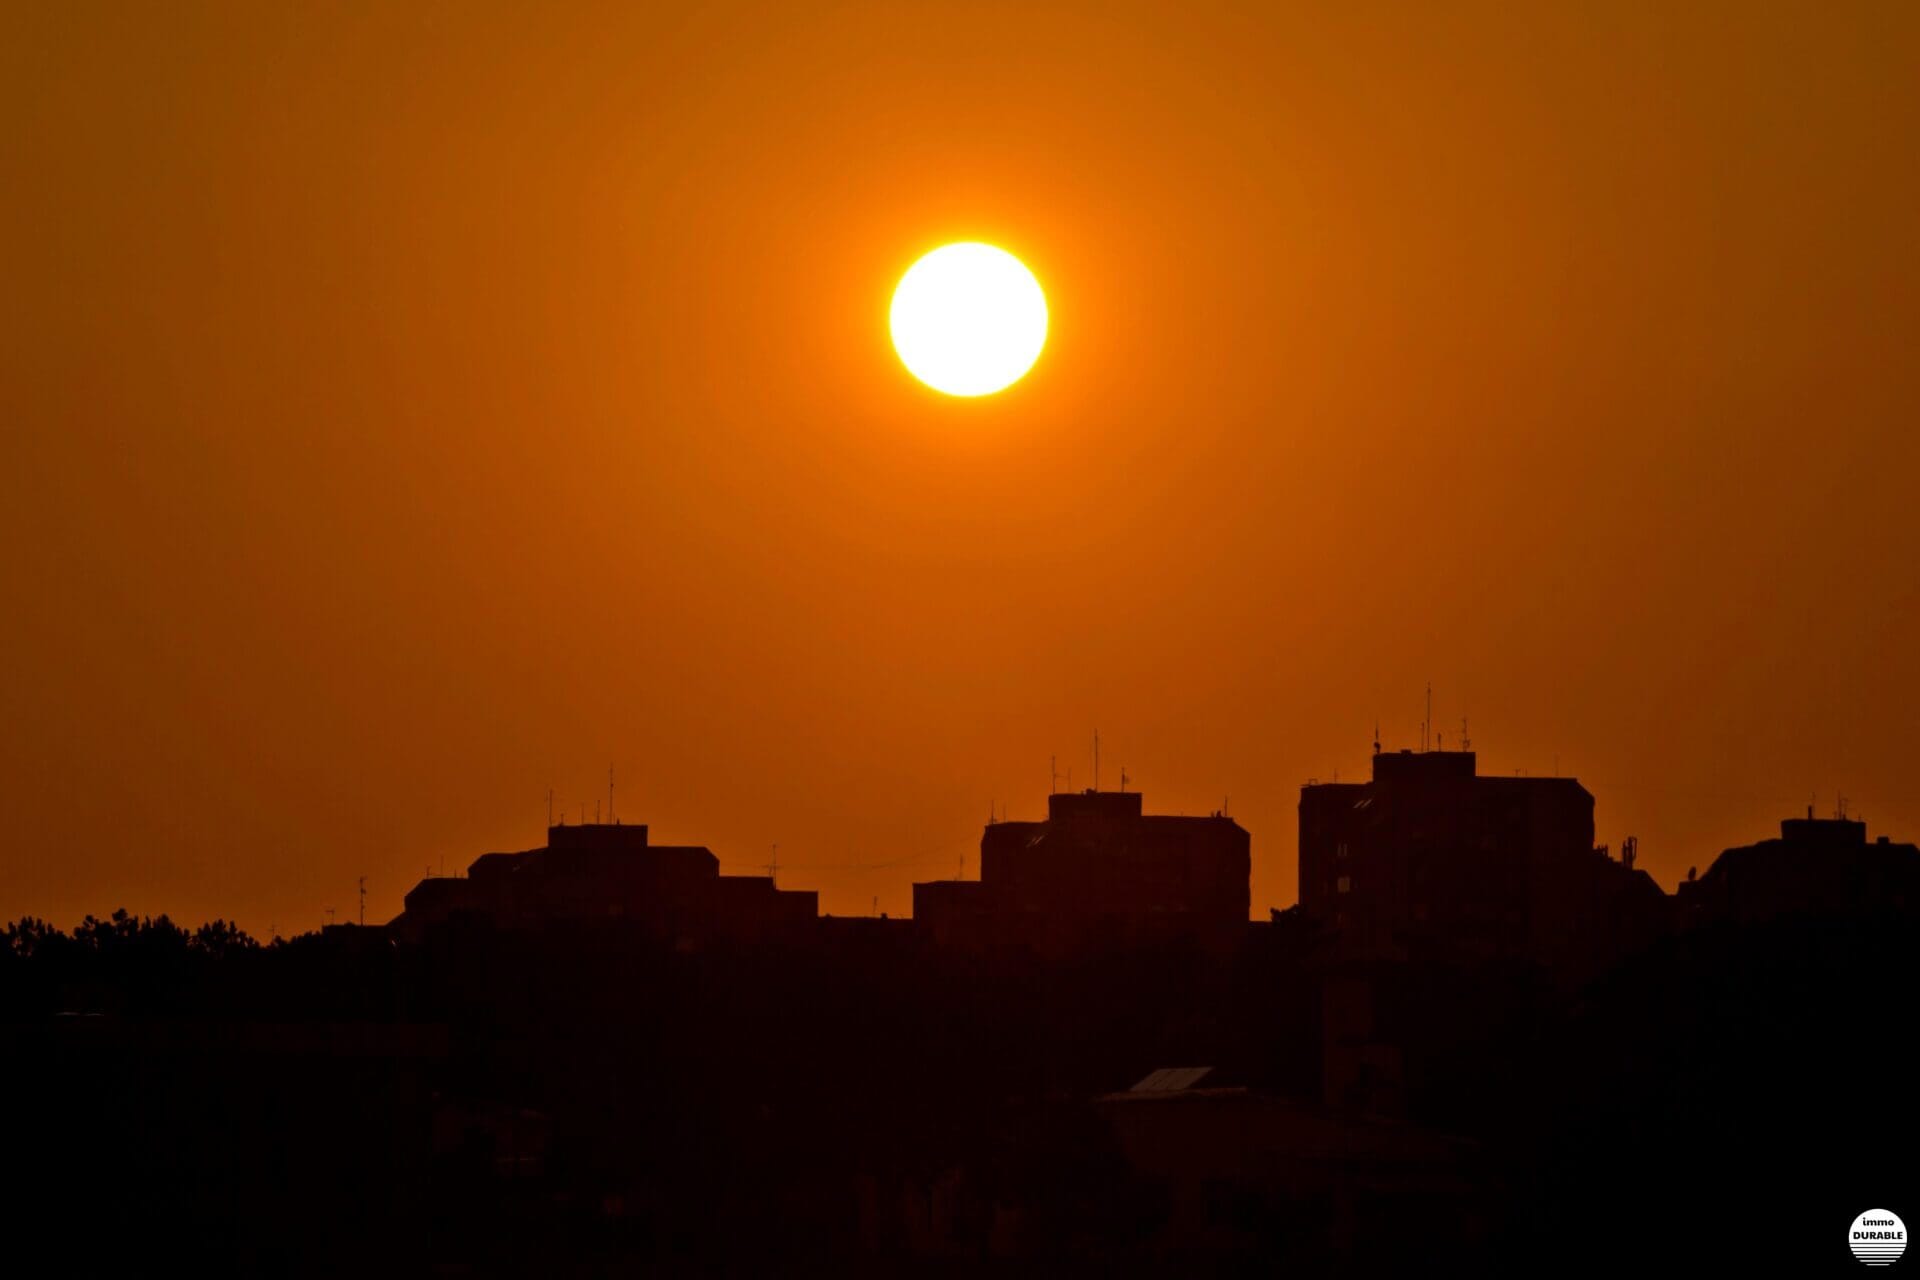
(408, 408)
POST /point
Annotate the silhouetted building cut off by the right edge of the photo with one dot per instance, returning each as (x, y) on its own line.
(1819, 866)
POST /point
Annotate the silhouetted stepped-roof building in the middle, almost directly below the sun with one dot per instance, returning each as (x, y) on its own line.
(1097, 866)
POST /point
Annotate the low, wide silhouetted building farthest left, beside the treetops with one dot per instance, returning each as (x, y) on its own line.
(608, 872)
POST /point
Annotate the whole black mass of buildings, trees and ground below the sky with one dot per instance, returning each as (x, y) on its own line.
(1477, 1039)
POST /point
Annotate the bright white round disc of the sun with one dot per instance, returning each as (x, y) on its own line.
(969, 320)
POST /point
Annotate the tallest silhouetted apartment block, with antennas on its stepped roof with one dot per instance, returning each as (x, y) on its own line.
(1433, 853)
